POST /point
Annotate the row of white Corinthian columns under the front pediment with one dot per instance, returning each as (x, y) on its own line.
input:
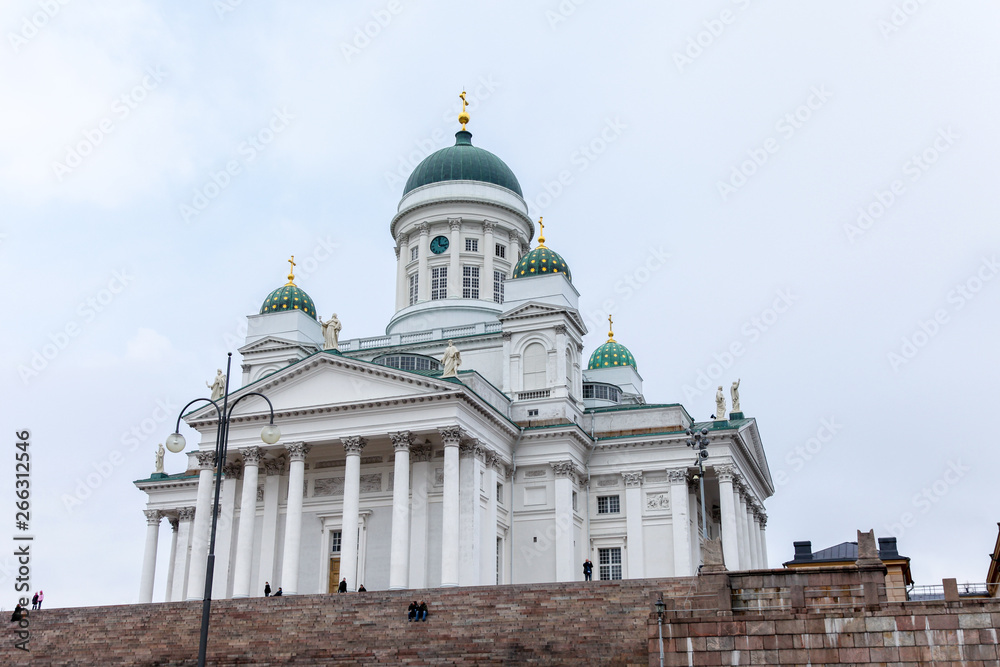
(468, 540)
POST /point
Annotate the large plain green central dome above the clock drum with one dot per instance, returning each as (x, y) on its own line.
(463, 162)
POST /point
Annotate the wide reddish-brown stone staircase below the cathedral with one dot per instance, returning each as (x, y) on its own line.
(582, 623)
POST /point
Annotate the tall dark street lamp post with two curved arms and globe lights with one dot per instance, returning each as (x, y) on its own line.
(175, 443)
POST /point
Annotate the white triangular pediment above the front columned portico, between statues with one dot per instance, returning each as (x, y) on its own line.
(325, 379)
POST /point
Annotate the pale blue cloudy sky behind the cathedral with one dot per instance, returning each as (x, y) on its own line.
(797, 195)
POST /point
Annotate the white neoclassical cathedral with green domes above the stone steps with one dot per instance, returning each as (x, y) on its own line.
(396, 472)
